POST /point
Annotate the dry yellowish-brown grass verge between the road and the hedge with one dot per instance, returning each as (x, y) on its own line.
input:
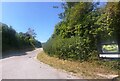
(85, 69)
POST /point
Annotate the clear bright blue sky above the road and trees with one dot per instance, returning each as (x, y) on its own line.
(40, 16)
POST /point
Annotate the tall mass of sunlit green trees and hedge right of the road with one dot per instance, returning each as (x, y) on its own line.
(82, 28)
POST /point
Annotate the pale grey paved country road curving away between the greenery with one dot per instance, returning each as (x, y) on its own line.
(25, 66)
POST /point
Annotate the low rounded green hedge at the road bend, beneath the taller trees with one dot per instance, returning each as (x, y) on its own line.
(73, 48)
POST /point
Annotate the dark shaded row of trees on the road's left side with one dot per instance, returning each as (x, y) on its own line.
(11, 40)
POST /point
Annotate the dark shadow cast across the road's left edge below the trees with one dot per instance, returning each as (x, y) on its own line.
(15, 53)
